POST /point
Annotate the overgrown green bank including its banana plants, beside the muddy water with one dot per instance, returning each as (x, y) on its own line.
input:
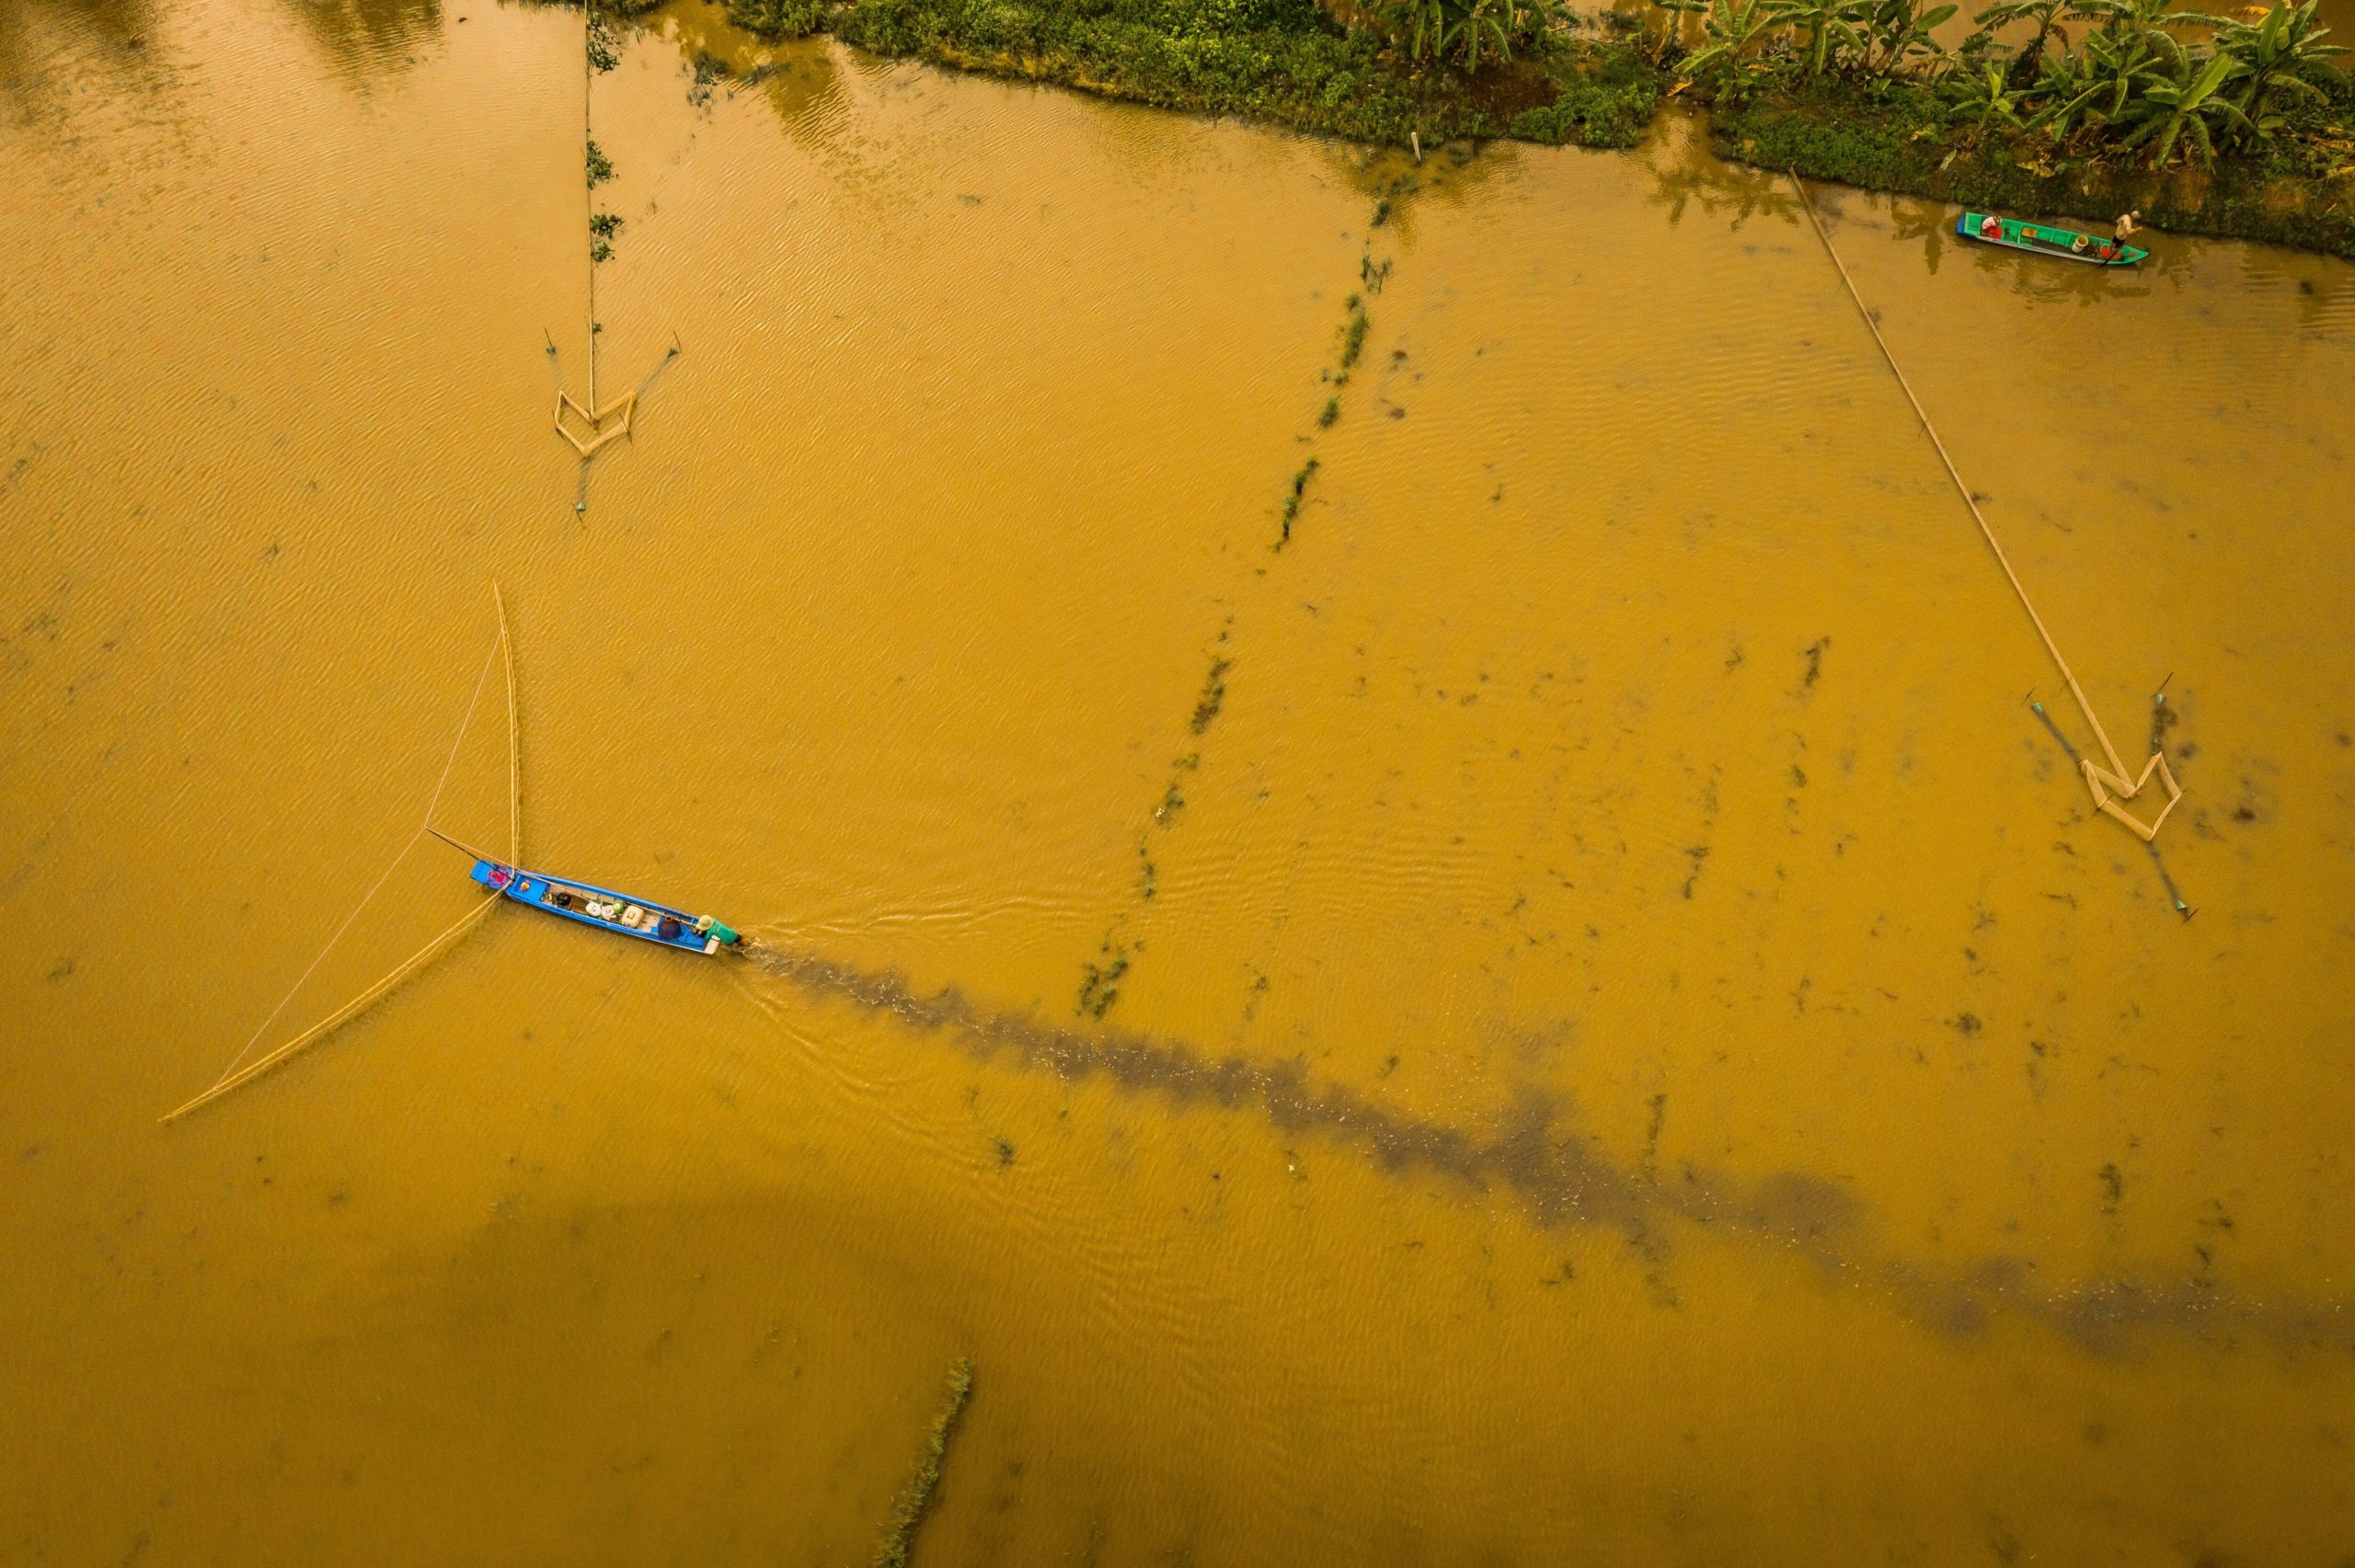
(1909, 119)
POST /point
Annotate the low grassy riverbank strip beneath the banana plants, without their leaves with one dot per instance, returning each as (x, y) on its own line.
(1294, 65)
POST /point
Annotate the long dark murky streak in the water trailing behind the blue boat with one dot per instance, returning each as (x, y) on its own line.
(1560, 1178)
